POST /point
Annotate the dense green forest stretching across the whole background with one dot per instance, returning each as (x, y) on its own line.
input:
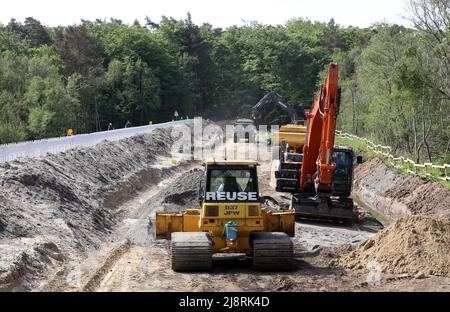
(396, 80)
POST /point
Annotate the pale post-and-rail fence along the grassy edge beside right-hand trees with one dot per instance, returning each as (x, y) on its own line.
(442, 172)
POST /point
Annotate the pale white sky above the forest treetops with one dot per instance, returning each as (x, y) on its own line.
(223, 13)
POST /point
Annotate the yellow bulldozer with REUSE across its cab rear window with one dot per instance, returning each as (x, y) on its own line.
(230, 220)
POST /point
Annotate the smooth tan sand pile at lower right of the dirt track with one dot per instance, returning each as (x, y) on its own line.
(418, 245)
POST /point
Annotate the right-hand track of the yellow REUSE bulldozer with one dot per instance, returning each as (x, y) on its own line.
(272, 251)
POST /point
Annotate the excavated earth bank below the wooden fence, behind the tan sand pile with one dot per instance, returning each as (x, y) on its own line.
(396, 195)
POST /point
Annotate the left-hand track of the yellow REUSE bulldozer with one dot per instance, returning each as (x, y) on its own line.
(191, 251)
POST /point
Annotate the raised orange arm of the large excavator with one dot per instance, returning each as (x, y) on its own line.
(317, 165)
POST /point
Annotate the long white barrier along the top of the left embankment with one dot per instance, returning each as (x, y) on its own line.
(9, 152)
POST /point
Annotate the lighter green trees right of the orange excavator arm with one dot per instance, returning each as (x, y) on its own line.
(397, 87)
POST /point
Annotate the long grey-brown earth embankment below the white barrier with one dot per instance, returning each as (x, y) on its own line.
(55, 207)
